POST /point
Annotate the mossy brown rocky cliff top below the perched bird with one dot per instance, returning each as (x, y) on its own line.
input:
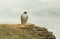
(30, 32)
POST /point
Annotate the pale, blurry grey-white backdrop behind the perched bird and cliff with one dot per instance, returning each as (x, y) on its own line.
(45, 13)
